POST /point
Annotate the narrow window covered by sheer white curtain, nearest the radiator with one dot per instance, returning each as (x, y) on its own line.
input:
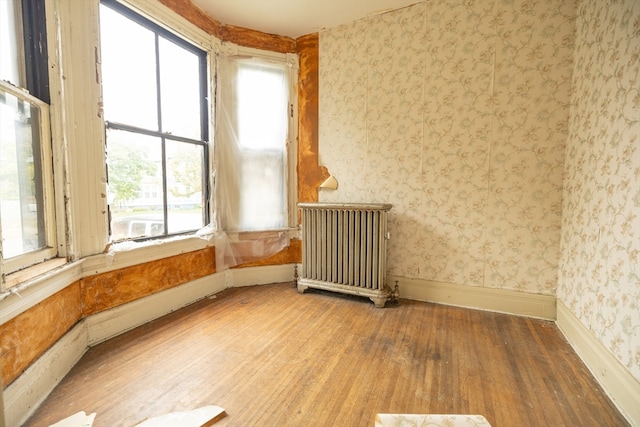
(252, 135)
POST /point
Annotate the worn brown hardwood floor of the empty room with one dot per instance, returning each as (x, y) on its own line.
(273, 357)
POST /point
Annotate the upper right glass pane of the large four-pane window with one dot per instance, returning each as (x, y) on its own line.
(180, 90)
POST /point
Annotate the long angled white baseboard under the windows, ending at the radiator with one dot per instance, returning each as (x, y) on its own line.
(28, 391)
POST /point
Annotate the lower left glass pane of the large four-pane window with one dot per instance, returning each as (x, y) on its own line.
(135, 185)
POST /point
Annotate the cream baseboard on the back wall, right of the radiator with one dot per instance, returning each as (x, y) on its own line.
(498, 300)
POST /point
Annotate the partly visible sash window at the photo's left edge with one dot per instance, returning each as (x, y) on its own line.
(27, 217)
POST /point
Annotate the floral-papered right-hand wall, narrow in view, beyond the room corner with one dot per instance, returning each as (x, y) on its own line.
(599, 278)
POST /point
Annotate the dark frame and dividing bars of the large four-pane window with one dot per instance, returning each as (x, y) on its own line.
(203, 51)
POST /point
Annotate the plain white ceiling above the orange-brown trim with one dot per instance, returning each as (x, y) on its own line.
(295, 18)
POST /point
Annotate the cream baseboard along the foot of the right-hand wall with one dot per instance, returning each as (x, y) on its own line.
(618, 383)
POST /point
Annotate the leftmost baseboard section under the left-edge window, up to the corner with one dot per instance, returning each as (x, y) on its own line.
(28, 391)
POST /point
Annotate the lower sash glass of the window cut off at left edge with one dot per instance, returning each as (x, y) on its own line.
(21, 199)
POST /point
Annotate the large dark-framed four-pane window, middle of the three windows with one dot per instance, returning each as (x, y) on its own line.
(155, 110)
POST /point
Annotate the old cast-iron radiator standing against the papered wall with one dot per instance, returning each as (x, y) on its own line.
(344, 249)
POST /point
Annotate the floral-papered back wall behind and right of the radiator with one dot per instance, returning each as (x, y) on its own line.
(455, 112)
